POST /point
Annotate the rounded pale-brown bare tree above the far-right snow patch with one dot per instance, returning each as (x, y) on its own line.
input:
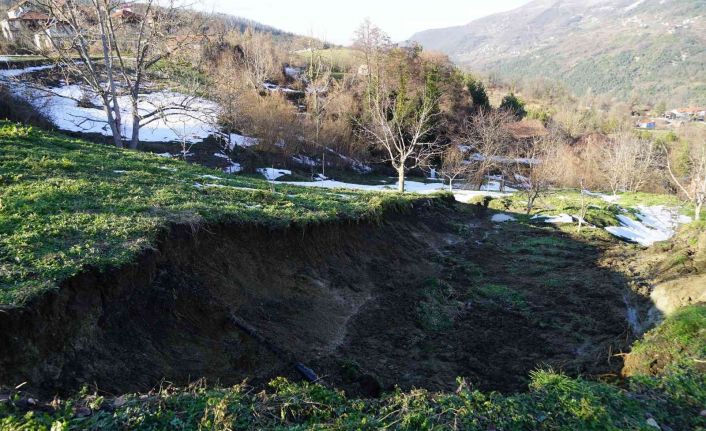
(628, 162)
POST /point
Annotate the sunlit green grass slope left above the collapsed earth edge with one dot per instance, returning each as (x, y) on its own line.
(67, 204)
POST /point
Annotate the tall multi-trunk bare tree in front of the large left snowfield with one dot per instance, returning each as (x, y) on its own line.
(129, 44)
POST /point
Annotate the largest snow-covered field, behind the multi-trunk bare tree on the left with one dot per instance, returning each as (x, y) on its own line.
(181, 118)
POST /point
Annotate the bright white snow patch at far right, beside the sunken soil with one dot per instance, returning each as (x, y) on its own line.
(655, 224)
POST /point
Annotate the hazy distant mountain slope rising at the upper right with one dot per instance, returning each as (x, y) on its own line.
(653, 49)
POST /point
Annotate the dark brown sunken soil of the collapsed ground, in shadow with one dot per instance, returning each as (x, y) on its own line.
(367, 306)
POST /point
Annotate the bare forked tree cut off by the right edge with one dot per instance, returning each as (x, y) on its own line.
(693, 184)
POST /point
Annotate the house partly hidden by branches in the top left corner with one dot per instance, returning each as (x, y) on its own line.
(27, 24)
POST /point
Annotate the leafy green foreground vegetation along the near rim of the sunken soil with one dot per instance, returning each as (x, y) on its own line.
(554, 402)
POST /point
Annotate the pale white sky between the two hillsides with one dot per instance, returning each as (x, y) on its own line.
(336, 20)
